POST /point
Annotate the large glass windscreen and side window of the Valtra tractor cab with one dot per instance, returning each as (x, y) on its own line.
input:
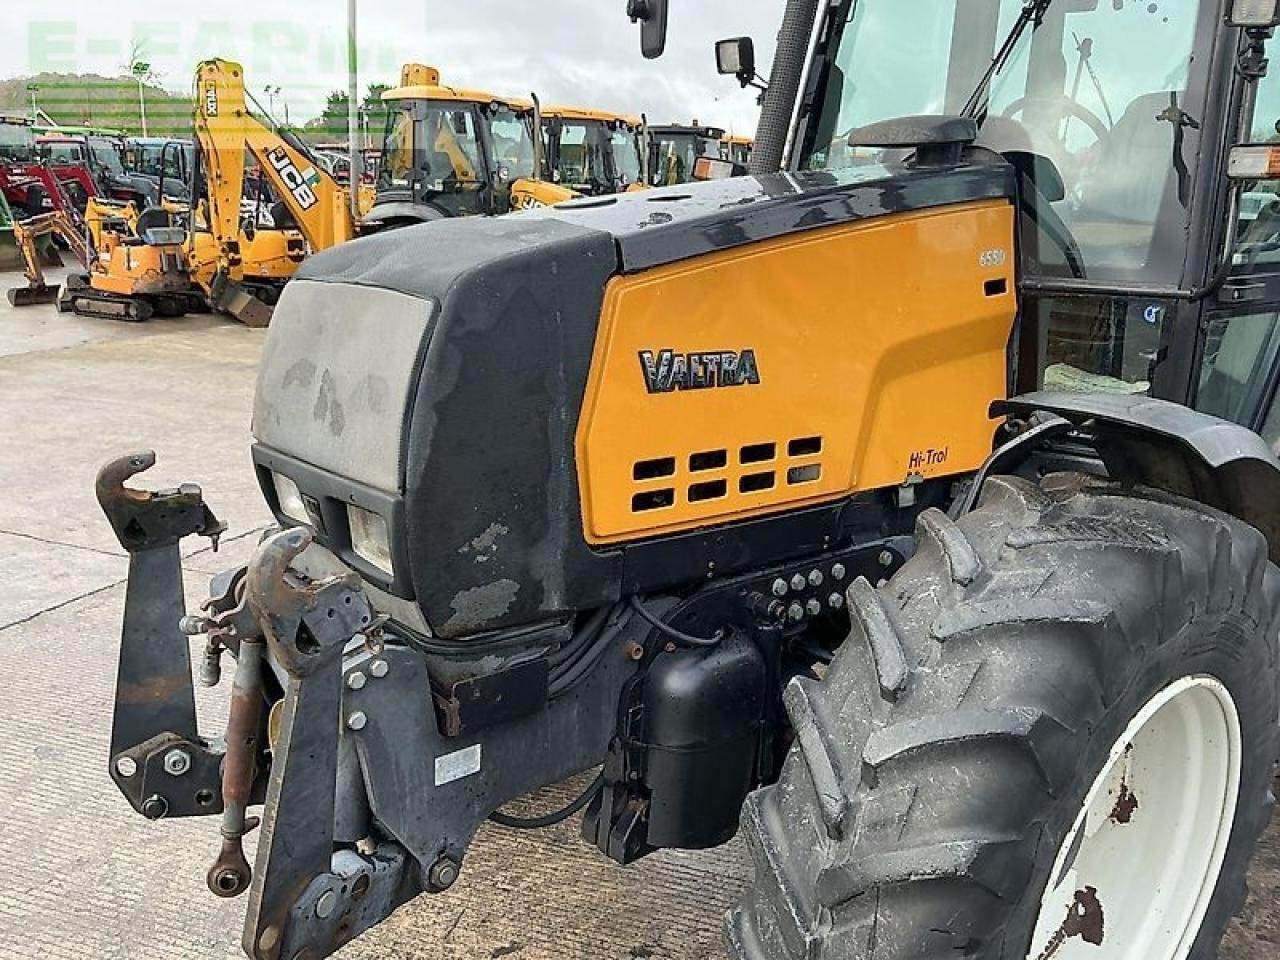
(1103, 100)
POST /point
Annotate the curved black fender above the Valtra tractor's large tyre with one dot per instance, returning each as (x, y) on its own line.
(1173, 449)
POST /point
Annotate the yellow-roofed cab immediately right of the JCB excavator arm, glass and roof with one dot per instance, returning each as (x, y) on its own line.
(450, 152)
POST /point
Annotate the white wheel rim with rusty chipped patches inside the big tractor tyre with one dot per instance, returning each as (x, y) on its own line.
(1136, 875)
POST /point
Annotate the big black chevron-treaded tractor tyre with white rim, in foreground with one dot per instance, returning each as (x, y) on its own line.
(1052, 737)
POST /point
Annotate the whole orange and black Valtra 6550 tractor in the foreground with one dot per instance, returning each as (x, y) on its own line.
(737, 493)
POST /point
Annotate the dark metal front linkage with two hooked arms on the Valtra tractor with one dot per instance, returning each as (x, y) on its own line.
(368, 801)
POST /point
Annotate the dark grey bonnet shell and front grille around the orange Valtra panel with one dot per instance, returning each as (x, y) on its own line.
(436, 377)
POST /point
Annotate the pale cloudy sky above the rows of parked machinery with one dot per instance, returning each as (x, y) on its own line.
(579, 52)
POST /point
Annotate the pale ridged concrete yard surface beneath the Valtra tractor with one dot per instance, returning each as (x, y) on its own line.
(85, 876)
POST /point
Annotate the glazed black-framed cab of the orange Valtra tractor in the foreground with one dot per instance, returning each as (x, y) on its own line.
(1150, 249)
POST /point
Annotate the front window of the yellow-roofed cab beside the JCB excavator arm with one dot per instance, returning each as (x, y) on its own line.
(432, 153)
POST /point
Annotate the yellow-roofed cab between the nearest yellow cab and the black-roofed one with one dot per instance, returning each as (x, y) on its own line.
(596, 153)
